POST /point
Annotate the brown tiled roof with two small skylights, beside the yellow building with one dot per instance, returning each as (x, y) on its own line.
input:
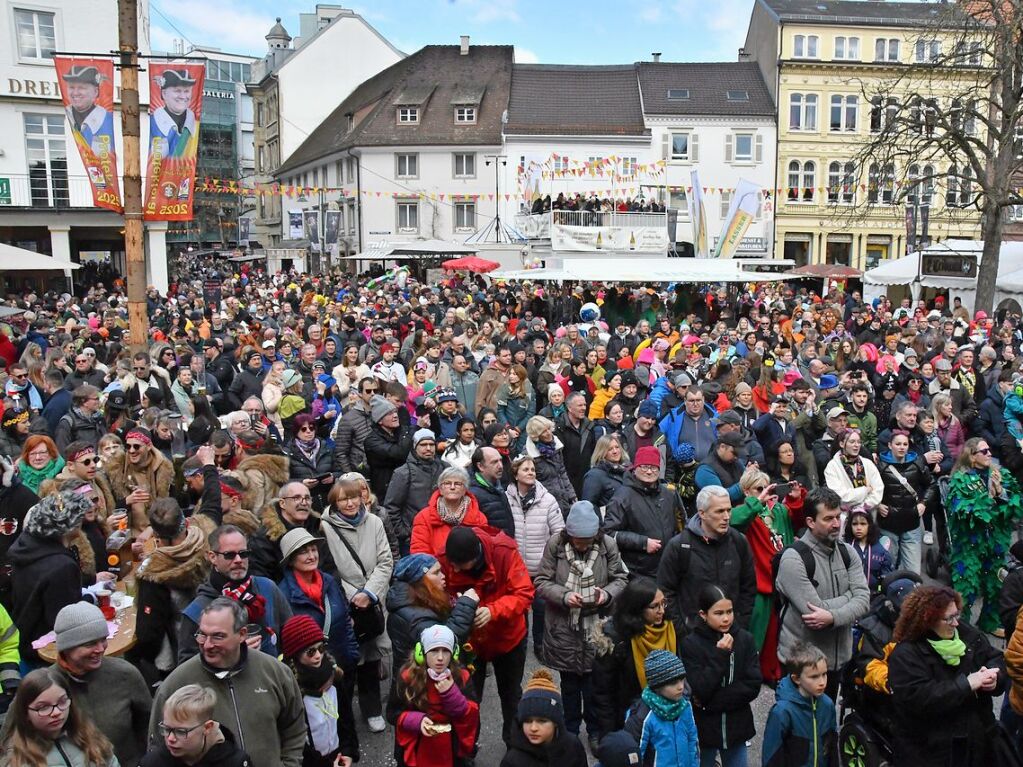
(707, 86)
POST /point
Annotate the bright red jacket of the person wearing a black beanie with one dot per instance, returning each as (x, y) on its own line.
(505, 588)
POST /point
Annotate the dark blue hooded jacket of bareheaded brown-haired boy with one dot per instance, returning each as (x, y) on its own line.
(800, 732)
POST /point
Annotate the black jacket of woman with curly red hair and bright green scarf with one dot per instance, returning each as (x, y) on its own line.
(926, 691)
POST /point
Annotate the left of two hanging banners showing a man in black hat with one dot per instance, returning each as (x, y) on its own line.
(87, 92)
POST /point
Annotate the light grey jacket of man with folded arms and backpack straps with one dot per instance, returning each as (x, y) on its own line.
(840, 591)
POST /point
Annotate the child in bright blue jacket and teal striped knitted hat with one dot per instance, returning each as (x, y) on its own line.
(661, 721)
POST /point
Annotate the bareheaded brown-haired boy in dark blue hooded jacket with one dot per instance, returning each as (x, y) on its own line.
(803, 731)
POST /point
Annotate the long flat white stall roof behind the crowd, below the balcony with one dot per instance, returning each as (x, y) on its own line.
(641, 270)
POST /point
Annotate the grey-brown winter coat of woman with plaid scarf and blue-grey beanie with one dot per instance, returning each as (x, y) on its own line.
(566, 648)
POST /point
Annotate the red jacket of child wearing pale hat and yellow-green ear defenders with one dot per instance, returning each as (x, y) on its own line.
(421, 751)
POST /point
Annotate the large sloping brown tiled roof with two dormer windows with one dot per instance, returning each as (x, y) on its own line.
(434, 78)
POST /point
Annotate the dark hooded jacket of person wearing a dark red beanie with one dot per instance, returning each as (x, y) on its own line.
(638, 513)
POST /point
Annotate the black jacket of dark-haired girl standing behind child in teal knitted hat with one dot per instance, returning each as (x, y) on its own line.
(725, 685)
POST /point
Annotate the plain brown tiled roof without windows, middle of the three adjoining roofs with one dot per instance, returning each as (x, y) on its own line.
(551, 100)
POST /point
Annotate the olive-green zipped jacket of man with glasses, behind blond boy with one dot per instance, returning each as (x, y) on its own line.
(259, 700)
